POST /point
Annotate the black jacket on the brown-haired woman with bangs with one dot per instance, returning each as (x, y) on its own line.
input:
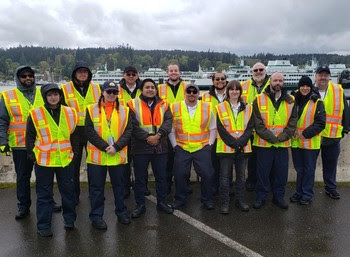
(229, 140)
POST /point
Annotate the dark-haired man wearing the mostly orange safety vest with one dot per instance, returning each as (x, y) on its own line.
(152, 122)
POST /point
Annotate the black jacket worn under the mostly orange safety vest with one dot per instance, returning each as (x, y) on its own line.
(139, 144)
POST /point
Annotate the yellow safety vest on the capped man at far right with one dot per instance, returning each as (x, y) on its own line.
(334, 106)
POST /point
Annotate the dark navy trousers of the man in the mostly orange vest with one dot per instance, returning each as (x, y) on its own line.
(159, 162)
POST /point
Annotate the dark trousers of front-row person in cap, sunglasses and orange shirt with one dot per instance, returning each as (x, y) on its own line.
(97, 179)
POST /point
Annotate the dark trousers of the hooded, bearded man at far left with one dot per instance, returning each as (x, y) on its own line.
(23, 168)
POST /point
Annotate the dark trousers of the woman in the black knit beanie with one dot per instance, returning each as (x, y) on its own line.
(304, 161)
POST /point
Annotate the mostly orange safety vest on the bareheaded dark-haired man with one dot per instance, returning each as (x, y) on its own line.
(150, 122)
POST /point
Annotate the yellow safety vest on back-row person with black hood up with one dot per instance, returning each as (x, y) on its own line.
(75, 100)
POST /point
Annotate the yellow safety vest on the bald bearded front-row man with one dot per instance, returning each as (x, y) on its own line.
(275, 120)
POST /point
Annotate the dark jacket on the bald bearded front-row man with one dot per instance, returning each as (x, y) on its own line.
(260, 126)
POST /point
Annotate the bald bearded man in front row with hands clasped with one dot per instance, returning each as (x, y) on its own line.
(275, 122)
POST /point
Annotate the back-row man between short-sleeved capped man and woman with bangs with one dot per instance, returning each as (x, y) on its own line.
(215, 95)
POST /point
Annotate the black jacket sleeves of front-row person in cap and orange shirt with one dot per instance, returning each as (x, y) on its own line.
(98, 142)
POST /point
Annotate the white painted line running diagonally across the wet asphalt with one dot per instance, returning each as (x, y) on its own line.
(211, 232)
